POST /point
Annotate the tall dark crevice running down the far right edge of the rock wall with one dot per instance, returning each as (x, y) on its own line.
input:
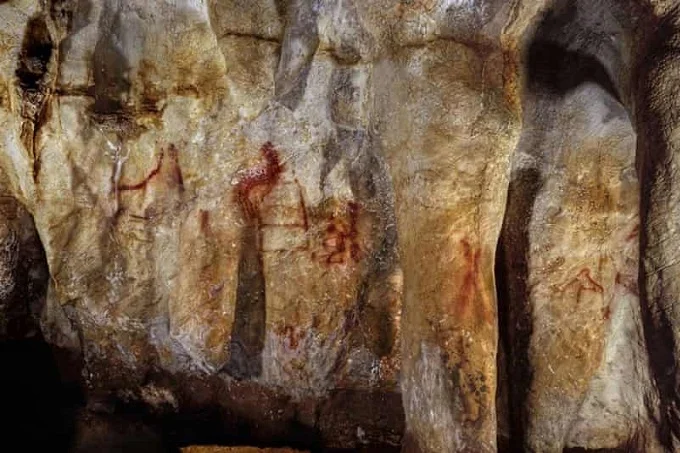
(653, 167)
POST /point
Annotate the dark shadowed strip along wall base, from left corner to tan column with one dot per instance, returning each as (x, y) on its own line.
(43, 414)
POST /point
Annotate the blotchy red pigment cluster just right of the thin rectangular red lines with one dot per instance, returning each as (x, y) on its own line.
(341, 239)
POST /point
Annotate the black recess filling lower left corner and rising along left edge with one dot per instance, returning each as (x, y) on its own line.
(38, 391)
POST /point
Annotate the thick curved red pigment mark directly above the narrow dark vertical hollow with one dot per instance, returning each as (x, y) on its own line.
(257, 182)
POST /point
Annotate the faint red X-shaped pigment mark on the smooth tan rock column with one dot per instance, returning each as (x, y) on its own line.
(472, 287)
